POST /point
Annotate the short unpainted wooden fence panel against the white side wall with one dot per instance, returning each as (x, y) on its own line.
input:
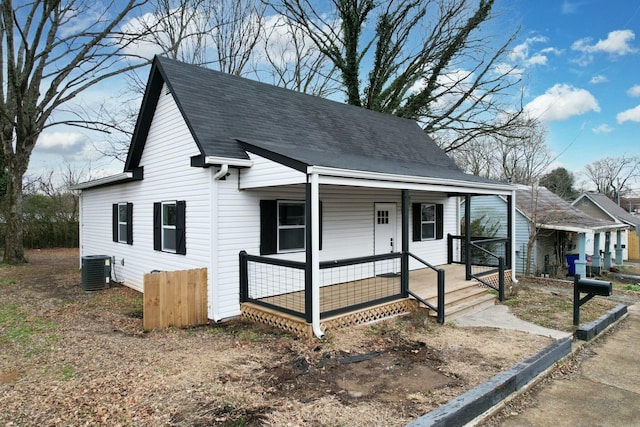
(175, 298)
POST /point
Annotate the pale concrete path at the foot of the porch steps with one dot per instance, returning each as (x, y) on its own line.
(499, 316)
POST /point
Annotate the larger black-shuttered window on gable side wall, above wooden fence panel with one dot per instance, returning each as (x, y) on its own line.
(169, 227)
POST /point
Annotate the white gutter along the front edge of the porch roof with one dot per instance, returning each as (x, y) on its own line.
(505, 189)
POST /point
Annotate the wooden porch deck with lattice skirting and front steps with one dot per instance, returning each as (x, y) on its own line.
(460, 296)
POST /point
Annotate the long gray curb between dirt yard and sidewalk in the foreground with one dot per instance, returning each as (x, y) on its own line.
(478, 400)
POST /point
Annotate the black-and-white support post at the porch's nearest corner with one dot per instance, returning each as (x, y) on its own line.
(312, 270)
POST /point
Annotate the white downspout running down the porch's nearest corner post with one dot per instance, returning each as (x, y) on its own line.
(315, 256)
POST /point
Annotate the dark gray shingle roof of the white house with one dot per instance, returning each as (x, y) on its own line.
(221, 110)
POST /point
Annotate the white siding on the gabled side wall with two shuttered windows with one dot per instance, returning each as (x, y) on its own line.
(168, 175)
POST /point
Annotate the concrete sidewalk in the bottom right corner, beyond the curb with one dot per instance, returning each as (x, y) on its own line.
(605, 390)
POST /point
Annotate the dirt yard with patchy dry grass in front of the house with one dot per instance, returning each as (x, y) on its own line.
(71, 357)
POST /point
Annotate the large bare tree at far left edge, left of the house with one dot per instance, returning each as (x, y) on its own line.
(61, 48)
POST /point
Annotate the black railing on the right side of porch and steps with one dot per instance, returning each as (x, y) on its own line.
(485, 256)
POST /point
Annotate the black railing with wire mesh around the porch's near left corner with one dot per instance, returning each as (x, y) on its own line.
(346, 285)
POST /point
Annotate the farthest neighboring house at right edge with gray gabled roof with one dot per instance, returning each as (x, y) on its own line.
(625, 242)
